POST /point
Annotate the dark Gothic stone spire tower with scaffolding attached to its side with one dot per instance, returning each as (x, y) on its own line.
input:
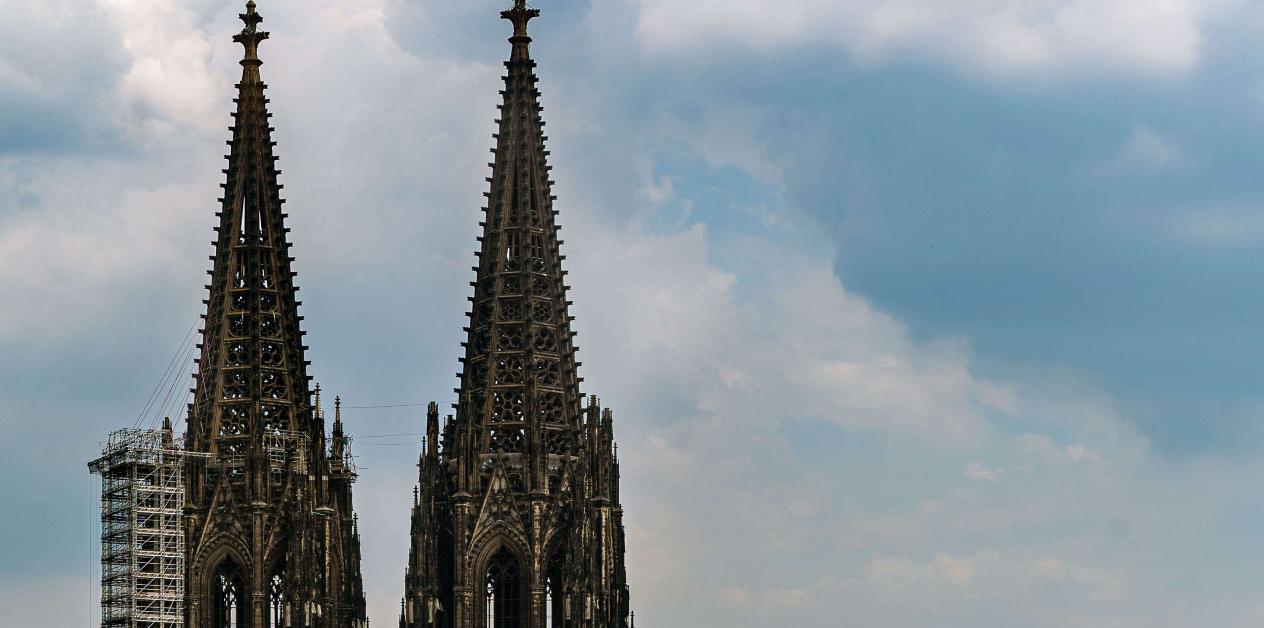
(271, 539)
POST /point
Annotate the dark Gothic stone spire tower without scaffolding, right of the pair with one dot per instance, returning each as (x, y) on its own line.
(518, 522)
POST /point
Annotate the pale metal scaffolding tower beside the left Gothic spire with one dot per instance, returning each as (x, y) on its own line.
(142, 534)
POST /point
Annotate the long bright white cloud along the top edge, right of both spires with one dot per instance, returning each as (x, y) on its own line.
(995, 37)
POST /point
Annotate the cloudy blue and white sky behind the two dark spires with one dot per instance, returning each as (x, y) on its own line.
(912, 314)
